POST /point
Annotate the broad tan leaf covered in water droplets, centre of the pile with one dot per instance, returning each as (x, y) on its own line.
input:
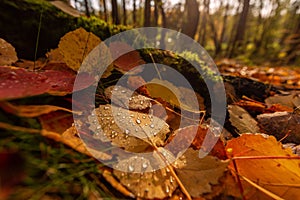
(133, 131)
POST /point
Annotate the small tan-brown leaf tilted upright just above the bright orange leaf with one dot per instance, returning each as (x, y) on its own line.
(241, 120)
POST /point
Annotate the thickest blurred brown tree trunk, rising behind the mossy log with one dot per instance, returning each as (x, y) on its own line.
(190, 24)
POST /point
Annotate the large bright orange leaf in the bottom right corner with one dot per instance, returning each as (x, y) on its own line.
(279, 176)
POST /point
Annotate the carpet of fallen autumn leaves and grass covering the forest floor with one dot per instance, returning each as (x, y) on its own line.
(255, 156)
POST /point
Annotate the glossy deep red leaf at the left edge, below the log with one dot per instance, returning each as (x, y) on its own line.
(19, 83)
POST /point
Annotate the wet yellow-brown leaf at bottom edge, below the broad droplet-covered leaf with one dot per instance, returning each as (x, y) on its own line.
(150, 185)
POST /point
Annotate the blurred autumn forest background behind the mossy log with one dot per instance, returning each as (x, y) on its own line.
(251, 31)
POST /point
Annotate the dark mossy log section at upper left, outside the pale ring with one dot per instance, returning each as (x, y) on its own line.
(20, 20)
